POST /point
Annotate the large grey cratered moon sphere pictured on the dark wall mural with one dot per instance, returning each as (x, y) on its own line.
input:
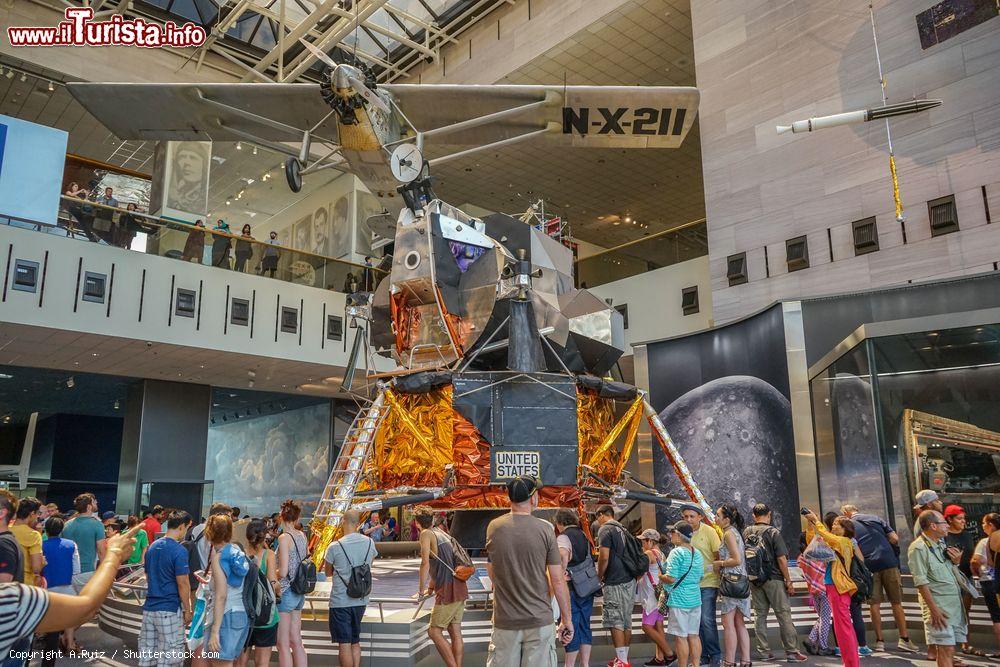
(735, 434)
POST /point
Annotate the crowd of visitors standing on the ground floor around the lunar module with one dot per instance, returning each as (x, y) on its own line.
(231, 589)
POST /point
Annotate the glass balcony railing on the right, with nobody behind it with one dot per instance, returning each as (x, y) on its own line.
(656, 251)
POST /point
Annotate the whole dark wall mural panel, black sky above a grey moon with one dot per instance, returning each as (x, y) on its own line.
(723, 396)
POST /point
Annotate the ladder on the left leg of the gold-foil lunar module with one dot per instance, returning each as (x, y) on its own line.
(349, 466)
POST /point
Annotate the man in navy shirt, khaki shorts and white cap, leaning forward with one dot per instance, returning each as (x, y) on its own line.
(879, 544)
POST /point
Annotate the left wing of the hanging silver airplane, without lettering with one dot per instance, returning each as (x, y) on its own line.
(207, 111)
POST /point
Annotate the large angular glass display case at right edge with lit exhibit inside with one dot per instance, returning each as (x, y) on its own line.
(896, 414)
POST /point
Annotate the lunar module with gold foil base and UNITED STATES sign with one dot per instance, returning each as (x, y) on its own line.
(502, 363)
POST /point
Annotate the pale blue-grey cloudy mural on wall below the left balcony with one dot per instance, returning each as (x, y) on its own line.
(257, 463)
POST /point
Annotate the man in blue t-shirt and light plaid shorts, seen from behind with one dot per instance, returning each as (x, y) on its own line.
(168, 597)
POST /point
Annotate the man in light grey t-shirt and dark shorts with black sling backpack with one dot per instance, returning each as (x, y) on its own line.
(350, 551)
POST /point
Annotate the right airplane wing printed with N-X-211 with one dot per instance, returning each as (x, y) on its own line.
(589, 116)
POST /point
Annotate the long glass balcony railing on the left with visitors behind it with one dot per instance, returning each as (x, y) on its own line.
(131, 230)
